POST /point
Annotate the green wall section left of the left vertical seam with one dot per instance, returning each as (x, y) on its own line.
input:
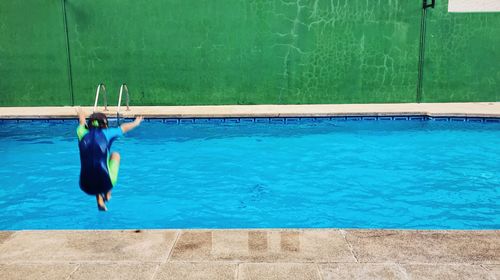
(33, 58)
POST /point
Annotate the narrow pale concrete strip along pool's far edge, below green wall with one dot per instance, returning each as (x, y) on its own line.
(430, 109)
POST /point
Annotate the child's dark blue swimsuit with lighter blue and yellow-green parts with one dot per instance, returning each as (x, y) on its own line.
(98, 174)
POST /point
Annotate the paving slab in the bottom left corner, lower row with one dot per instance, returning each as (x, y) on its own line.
(36, 271)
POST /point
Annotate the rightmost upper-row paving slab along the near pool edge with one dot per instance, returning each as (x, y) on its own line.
(482, 247)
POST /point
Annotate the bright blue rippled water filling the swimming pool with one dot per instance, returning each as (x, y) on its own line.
(351, 174)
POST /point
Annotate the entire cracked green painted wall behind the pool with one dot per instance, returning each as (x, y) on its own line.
(192, 52)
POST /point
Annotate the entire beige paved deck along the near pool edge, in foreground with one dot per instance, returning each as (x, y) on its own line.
(250, 254)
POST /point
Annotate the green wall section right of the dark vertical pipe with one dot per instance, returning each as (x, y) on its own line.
(462, 56)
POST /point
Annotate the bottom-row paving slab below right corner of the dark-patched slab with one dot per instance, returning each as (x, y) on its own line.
(362, 271)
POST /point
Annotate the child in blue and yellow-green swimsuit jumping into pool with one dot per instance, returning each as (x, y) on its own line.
(99, 167)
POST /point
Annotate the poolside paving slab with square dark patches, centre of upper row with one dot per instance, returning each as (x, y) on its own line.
(262, 246)
